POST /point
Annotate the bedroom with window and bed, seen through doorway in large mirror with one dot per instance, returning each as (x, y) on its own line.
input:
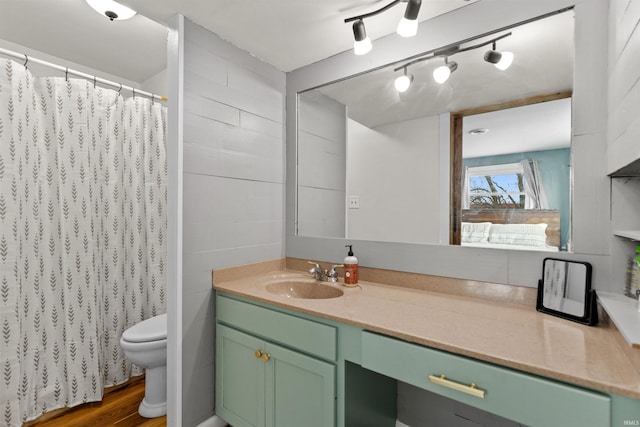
(513, 196)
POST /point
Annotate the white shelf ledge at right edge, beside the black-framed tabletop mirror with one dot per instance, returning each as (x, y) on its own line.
(624, 313)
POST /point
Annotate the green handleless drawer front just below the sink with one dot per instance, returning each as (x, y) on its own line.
(311, 337)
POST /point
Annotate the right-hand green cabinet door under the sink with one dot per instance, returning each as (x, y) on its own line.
(300, 391)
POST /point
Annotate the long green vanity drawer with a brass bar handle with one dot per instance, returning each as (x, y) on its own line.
(523, 398)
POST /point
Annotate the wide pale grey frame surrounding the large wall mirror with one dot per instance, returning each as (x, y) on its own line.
(591, 236)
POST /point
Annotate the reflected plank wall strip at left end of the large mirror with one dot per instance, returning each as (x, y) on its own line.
(321, 175)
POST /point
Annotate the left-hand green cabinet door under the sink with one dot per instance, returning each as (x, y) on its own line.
(239, 378)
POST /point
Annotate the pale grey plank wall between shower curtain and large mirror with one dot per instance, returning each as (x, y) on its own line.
(233, 189)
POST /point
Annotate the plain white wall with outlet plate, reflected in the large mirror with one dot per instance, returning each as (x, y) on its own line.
(387, 168)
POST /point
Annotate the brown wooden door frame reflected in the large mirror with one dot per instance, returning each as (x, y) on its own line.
(456, 121)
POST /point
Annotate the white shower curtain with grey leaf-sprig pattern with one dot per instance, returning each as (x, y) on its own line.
(83, 196)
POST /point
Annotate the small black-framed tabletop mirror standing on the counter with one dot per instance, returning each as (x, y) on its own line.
(565, 290)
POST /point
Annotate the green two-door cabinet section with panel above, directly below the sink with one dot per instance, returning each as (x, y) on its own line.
(261, 378)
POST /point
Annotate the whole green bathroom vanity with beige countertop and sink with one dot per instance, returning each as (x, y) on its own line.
(283, 360)
